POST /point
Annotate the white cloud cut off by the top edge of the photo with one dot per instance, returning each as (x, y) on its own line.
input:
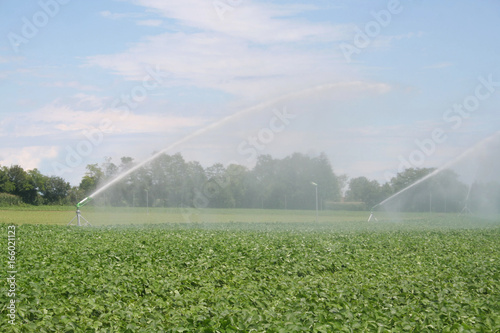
(259, 23)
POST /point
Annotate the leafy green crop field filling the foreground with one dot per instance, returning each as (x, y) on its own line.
(427, 274)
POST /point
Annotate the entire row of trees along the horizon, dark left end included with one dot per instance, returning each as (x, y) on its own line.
(288, 183)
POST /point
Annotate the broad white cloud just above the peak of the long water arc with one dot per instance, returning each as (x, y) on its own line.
(218, 62)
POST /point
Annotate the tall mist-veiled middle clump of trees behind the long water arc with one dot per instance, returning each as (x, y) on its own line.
(170, 181)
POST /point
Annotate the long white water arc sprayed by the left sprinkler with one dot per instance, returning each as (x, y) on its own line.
(209, 128)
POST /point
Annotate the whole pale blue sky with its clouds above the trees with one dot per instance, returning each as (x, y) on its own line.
(84, 80)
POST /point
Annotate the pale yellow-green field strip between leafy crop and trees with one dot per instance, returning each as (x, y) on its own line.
(106, 216)
